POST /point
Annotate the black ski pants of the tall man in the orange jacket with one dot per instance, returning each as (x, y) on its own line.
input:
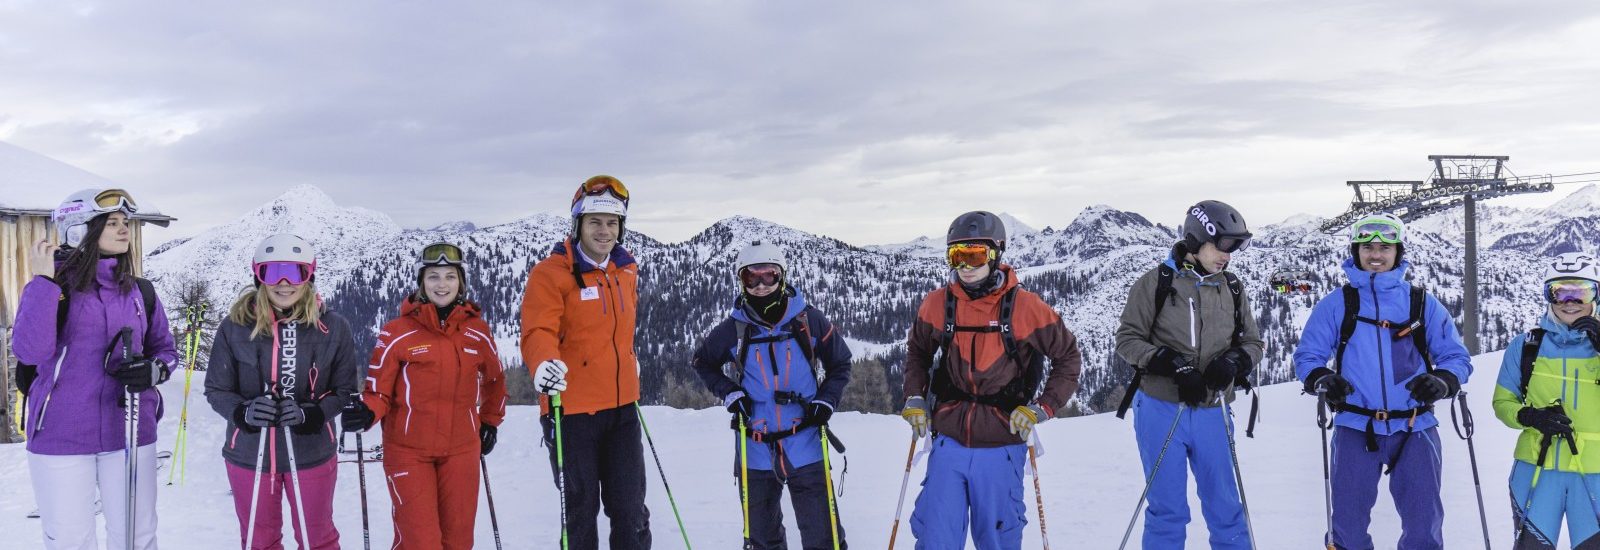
(606, 464)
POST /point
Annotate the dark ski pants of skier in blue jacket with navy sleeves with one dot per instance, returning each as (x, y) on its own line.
(807, 493)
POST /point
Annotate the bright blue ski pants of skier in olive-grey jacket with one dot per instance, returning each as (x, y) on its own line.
(1201, 444)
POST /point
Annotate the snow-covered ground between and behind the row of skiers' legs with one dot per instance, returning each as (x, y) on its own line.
(1090, 476)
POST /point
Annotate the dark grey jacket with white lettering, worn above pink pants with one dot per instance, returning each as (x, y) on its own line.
(316, 365)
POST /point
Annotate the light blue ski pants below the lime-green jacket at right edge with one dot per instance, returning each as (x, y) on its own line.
(1543, 506)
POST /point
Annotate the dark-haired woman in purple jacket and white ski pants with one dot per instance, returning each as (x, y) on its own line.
(70, 324)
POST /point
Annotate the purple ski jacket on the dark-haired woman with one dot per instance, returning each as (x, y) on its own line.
(74, 404)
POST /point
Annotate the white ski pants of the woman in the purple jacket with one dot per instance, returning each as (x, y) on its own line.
(65, 488)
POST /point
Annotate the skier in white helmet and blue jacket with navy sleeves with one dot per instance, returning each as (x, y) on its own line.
(777, 394)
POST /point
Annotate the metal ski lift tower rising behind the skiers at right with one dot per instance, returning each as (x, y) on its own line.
(1457, 181)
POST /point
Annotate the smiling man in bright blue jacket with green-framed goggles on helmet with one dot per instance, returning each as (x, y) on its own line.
(1383, 388)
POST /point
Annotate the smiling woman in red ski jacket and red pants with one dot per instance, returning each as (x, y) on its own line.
(438, 385)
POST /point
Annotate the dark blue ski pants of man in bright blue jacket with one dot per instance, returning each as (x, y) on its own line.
(1414, 485)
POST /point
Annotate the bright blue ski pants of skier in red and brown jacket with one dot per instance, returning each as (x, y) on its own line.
(983, 485)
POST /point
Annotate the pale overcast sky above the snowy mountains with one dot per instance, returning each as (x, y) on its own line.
(871, 122)
